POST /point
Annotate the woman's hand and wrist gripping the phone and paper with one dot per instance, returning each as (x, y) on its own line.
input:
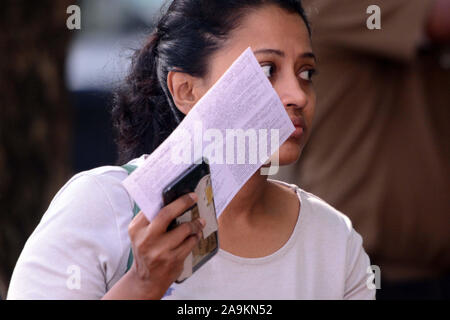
(158, 255)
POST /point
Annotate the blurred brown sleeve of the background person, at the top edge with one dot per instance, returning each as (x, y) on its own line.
(341, 25)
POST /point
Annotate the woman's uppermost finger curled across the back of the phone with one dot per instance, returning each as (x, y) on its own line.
(173, 210)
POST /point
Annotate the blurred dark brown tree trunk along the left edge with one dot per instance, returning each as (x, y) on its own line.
(34, 119)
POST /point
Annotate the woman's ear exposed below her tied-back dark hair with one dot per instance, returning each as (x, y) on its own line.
(182, 86)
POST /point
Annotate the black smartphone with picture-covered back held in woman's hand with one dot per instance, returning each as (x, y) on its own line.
(197, 178)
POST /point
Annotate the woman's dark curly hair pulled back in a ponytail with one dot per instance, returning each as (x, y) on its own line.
(185, 37)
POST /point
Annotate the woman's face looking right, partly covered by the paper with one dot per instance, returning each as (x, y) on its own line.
(281, 43)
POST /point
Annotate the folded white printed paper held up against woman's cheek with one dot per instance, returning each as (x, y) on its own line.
(237, 125)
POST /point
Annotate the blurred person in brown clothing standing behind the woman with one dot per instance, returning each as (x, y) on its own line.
(379, 150)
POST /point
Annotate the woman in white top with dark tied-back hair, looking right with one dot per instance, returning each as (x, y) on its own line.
(276, 240)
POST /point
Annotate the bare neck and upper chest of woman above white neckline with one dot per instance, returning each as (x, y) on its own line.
(260, 218)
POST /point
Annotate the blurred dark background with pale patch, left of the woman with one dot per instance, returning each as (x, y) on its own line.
(55, 99)
